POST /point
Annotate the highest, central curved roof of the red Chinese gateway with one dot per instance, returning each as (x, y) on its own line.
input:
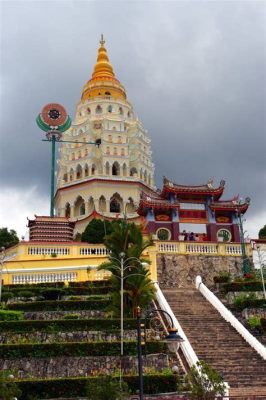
(191, 191)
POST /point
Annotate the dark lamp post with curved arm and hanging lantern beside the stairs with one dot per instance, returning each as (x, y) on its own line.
(173, 340)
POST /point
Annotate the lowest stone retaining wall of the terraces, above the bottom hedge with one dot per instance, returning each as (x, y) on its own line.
(57, 367)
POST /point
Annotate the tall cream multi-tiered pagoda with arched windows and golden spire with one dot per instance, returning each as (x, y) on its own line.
(109, 167)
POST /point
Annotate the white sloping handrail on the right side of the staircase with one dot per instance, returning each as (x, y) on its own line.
(229, 317)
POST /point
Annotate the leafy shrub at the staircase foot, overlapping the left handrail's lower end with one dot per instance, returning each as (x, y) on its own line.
(204, 382)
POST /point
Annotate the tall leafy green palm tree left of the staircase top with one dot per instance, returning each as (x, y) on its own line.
(139, 290)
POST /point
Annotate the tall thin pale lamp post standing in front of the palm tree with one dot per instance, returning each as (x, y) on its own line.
(121, 265)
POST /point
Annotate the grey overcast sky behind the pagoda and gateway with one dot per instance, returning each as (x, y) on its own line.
(195, 72)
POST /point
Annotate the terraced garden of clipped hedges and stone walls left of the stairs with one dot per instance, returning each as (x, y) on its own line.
(56, 341)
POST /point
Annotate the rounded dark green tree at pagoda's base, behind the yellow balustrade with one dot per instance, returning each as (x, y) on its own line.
(96, 230)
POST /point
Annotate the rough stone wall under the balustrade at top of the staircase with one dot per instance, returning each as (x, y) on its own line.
(179, 271)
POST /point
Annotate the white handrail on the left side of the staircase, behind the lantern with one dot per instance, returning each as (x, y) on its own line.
(186, 347)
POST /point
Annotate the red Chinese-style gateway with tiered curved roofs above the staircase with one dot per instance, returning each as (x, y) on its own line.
(182, 212)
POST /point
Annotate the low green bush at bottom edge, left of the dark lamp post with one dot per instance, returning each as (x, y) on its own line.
(107, 389)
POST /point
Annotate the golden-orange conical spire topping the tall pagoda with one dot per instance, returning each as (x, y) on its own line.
(103, 83)
